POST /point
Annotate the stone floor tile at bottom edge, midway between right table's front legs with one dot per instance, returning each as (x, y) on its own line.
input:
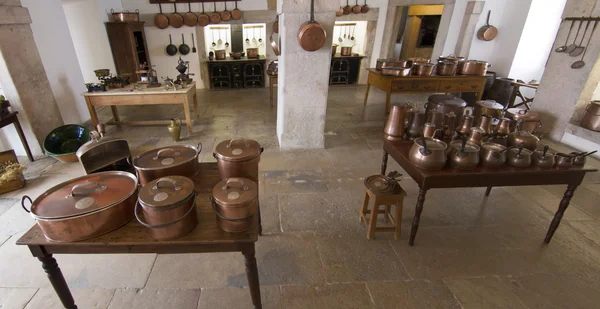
(487, 292)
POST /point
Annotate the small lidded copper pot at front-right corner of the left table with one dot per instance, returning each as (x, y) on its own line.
(235, 201)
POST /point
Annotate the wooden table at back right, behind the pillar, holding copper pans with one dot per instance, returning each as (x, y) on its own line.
(423, 84)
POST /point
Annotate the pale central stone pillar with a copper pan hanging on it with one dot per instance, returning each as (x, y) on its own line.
(303, 76)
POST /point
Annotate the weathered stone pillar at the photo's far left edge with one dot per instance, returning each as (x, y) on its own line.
(23, 78)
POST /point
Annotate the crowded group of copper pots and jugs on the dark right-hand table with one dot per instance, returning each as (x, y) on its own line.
(448, 135)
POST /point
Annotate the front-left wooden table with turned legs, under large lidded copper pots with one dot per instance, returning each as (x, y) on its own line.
(133, 238)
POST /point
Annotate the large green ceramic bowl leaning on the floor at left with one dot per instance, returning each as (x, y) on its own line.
(63, 142)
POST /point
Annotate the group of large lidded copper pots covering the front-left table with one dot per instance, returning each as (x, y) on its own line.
(162, 197)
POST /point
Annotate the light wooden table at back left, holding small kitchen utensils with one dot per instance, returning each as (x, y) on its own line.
(146, 96)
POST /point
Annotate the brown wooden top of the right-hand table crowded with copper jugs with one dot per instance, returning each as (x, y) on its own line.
(482, 176)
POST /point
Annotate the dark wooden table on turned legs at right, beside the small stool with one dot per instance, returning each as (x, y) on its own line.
(483, 177)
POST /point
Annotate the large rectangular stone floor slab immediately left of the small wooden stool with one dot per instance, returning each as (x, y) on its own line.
(318, 212)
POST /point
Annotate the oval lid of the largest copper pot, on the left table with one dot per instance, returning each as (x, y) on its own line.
(84, 195)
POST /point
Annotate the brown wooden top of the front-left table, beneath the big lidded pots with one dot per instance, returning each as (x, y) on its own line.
(133, 237)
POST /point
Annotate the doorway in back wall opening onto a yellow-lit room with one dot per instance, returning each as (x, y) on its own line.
(418, 30)
